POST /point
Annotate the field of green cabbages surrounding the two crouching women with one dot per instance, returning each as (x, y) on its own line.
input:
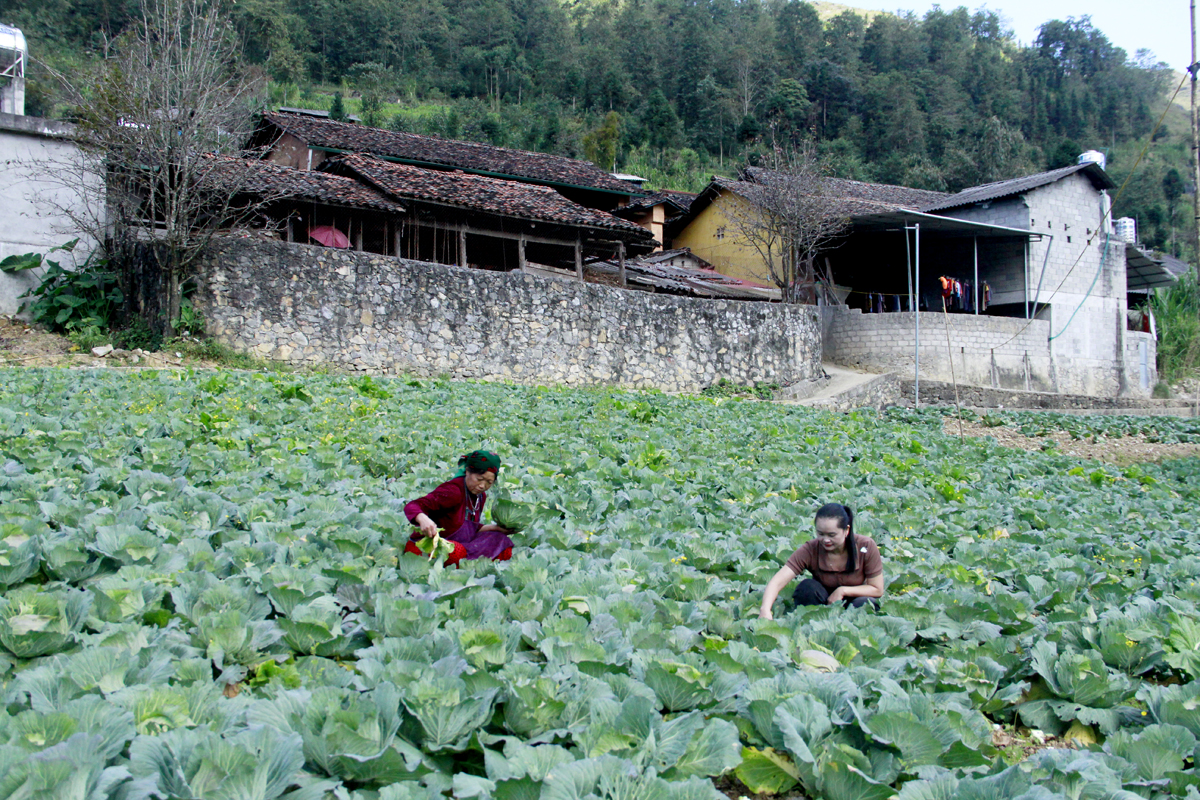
(205, 597)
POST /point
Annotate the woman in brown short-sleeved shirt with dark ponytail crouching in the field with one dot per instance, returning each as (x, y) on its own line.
(845, 568)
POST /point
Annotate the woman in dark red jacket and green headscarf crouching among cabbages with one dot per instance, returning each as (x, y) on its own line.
(455, 512)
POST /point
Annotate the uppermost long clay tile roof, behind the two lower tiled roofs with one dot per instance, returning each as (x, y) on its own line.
(435, 152)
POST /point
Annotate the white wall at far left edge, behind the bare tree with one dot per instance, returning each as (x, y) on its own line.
(38, 160)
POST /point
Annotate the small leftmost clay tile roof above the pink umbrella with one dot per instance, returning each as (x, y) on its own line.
(271, 181)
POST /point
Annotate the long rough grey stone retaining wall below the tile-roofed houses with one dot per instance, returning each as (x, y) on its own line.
(311, 305)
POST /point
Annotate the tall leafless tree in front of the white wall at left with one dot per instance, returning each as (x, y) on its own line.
(169, 98)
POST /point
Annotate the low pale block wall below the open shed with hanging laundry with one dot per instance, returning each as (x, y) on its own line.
(983, 348)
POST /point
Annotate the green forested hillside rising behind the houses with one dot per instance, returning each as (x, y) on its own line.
(679, 89)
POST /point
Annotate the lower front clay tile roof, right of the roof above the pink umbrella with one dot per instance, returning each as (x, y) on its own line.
(481, 194)
